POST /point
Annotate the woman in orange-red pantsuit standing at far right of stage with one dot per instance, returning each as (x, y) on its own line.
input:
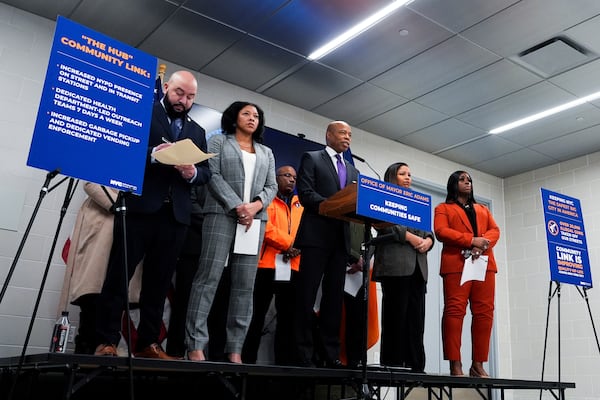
(468, 231)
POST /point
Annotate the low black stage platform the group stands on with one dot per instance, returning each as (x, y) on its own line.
(72, 376)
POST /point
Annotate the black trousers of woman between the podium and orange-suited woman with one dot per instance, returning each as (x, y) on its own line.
(403, 321)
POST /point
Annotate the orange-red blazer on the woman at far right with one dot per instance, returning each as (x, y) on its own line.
(453, 229)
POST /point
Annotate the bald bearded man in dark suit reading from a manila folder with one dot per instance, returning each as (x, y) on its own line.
(156, 224)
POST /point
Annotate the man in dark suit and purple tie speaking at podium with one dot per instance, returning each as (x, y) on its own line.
(325, 245)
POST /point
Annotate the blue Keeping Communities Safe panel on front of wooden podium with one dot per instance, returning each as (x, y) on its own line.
(391, 203)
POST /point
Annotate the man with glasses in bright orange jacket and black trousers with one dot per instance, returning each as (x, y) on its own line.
(279, 259)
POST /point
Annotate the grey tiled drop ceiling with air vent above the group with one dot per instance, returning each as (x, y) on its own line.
(436, 75)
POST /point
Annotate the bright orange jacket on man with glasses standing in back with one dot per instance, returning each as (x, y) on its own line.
(280, 232)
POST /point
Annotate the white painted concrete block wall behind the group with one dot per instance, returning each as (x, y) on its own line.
(522, 282)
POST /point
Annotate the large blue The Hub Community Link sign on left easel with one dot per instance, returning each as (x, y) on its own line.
(94, 116)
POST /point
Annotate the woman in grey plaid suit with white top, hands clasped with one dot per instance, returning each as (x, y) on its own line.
(242, 186)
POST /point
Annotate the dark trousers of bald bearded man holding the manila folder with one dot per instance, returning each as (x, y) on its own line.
(157, 239)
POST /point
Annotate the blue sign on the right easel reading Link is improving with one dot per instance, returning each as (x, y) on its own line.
(565, 234)
